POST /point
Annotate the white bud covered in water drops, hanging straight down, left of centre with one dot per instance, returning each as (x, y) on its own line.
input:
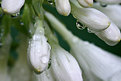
(39, 51)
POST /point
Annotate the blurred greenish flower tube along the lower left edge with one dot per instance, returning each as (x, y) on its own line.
(4, 53)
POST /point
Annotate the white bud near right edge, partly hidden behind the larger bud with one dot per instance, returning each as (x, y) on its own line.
(111, 35)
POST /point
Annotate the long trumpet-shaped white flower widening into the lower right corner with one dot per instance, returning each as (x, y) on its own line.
(96, 63)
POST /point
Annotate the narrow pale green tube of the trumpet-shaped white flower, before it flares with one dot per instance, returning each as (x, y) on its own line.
(58, 26)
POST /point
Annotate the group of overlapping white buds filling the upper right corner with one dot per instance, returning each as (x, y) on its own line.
(96, 21)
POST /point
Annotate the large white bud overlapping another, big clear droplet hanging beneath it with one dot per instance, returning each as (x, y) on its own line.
(92, 18)
